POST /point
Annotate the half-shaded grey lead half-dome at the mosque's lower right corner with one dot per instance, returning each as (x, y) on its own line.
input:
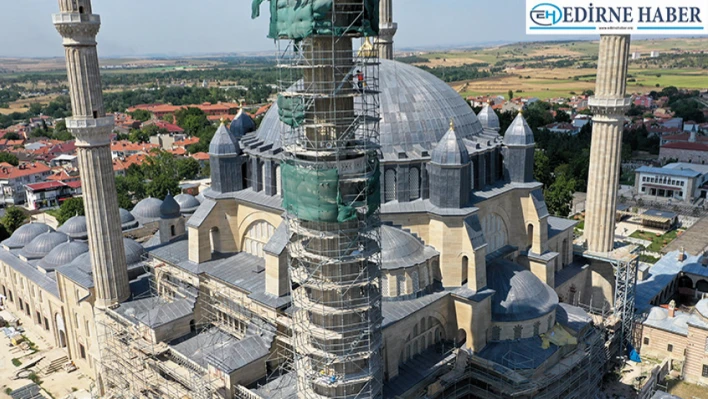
(519, 294)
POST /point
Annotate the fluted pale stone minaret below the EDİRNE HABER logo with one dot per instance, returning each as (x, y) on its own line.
(609, 106)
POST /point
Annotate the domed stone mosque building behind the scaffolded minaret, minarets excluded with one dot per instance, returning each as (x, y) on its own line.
(479, 282)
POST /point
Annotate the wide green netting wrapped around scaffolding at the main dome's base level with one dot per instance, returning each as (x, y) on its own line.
(313, 195)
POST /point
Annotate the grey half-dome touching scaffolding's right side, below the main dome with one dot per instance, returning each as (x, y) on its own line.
(401, 249)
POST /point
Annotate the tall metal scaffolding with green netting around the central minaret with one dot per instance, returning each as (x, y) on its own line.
(329, 105)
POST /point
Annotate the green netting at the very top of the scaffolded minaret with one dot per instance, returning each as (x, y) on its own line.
(298, 19)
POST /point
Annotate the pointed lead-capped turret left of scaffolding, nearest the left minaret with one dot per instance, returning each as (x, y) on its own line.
(226, 161)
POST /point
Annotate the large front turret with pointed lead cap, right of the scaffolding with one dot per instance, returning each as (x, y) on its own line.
(449, 171)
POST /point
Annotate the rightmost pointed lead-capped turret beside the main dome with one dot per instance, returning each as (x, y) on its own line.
(518, 151)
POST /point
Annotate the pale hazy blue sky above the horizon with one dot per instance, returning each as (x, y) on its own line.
(177, 27)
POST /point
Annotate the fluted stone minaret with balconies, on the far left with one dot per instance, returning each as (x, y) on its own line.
(78, 27)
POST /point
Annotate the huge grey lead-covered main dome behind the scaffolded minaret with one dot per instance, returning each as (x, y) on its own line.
(416, 109)
